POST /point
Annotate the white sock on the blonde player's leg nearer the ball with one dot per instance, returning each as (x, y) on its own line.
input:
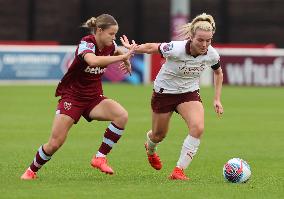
(188, 150)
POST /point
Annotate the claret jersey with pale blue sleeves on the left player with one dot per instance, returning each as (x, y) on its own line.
(81, 80)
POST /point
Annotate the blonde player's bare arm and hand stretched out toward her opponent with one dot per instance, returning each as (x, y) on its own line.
(142, 48)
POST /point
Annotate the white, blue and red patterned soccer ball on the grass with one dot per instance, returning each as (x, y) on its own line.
(236, 170)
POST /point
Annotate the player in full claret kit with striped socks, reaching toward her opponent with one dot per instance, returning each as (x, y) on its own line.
(82, 95)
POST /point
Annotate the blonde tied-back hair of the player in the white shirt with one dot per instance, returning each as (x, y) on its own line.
(203, 21)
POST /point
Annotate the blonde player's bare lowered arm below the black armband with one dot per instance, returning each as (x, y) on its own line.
(218, 80)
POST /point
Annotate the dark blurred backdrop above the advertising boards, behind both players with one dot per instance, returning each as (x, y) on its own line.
(238, 21)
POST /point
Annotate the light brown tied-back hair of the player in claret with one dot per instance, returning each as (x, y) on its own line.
(103, 21)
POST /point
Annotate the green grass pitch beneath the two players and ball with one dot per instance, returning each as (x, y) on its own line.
(251, 128)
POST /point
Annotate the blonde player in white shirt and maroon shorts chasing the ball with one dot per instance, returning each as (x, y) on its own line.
(176, 88)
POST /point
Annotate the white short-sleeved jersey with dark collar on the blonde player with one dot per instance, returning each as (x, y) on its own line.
(181, 72)
